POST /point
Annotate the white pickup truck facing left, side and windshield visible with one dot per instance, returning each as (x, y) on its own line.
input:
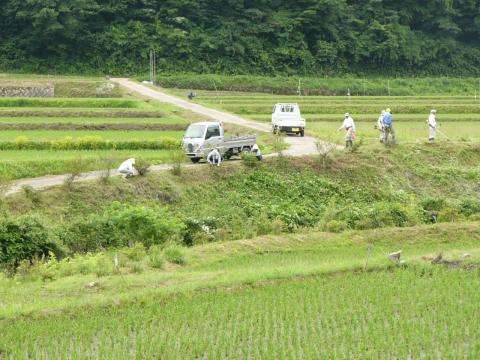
(201, 138)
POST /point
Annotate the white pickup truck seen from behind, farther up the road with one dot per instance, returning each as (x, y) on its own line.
(287, 118)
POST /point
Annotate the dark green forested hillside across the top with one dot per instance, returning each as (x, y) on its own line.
(307, 37)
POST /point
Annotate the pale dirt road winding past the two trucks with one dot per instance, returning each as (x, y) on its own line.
(297, 146)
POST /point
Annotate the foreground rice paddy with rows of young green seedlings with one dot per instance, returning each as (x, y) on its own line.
(300, 319)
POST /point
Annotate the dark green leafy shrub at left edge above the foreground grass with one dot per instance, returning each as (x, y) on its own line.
(24, 238)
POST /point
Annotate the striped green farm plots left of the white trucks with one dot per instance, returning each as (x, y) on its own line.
(62, 135)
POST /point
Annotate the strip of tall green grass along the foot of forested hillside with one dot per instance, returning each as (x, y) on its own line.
(324, 86)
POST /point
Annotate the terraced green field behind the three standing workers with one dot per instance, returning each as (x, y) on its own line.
(459, 116)
